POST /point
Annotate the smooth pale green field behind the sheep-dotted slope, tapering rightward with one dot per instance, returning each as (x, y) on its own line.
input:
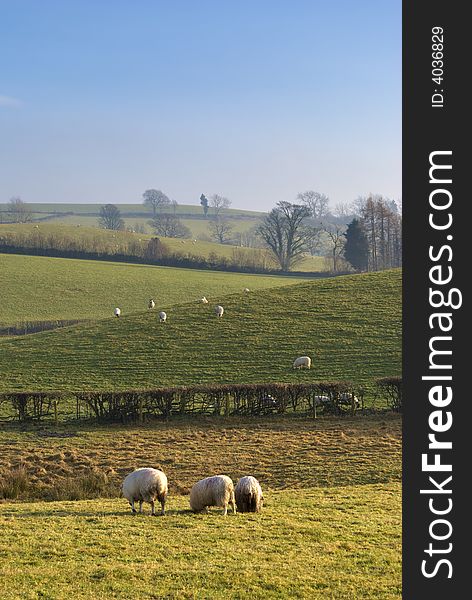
(37, 288)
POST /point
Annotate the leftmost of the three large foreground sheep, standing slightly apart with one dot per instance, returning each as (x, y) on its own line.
(145, 485)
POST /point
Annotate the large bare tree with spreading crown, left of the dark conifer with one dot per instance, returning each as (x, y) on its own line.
(284, 232)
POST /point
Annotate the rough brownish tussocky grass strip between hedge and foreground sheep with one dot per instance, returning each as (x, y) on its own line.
(283, 452)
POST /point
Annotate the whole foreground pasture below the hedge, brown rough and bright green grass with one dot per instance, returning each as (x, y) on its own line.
(330, 527)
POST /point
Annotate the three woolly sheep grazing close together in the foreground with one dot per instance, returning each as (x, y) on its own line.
(148, 485)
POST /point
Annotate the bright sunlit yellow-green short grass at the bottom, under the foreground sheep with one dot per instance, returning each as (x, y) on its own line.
(315, 543)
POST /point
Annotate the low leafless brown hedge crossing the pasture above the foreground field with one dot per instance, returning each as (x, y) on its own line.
(248, 399)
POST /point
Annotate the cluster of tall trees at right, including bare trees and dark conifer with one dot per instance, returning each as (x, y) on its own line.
(364, 236)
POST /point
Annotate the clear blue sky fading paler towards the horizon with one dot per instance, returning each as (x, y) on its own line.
(253, 100)
